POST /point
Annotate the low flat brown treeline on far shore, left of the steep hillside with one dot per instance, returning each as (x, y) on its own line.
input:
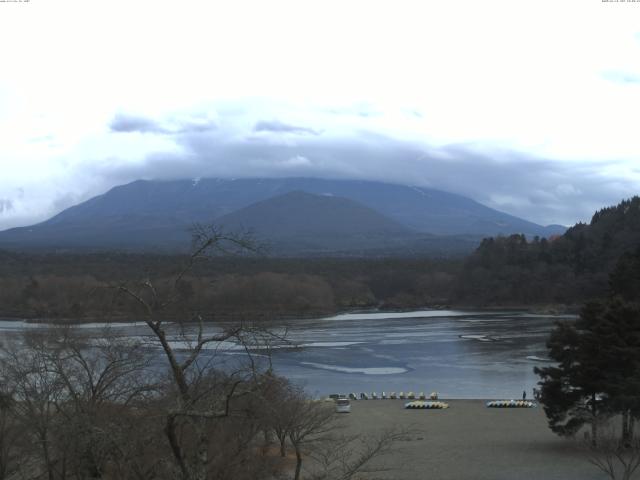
(83, 286)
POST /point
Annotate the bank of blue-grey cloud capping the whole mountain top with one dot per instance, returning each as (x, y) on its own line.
(541, 189)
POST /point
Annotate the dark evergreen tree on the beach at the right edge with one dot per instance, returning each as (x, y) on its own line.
(598, 370)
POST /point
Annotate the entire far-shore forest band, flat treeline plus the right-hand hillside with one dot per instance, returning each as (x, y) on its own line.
(503, 271)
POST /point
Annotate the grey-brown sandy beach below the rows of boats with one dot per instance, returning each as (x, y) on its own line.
(470, 441)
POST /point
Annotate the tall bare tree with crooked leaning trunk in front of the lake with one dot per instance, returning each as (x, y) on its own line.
(197, 398)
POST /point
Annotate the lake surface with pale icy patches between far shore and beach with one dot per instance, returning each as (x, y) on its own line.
(459, 354)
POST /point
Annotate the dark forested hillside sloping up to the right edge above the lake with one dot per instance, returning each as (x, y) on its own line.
(567, 269)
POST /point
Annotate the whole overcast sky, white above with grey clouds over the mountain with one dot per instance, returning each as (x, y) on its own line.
(530, 107)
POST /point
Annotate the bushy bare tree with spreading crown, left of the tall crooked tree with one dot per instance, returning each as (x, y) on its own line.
(102, 375)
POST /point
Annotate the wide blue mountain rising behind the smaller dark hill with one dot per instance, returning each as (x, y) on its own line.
(157, 214)
